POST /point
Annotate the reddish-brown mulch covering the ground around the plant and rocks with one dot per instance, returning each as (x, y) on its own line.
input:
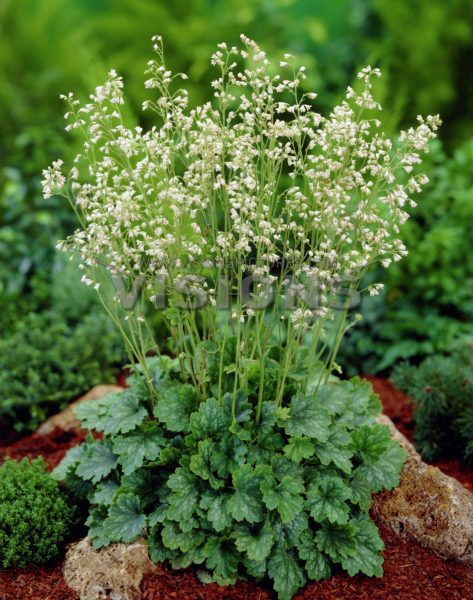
(410, 572)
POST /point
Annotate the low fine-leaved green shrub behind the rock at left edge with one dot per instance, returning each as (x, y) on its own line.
(45, 363)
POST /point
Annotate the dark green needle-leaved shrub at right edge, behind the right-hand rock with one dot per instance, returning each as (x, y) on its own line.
(442, 390)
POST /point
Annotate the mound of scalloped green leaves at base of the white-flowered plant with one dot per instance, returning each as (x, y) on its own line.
(286, 496)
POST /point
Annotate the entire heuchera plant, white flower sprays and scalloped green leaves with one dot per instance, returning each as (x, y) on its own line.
(253, 214)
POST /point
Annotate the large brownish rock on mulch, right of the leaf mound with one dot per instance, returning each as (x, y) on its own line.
(428, 507)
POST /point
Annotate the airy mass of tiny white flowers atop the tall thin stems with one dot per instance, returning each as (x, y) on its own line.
(256, 180)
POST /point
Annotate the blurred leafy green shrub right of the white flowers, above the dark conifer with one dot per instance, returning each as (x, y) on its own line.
(427, 303)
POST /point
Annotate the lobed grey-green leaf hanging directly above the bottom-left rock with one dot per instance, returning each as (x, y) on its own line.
(125, 521)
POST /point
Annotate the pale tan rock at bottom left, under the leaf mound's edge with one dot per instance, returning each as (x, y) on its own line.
(114, 572)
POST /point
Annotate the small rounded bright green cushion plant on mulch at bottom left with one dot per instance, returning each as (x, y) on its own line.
(36, 516)
